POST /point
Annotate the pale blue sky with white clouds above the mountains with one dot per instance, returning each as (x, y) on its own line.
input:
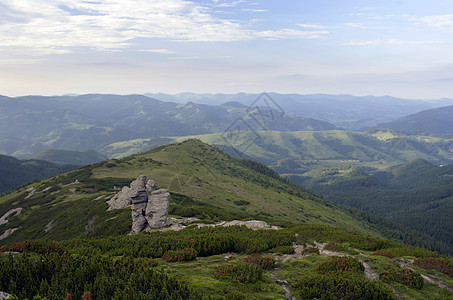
(402, 48)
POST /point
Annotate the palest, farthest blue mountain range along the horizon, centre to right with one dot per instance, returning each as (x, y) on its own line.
(345, 111)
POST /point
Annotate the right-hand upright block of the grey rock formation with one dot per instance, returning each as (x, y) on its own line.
(157, 208)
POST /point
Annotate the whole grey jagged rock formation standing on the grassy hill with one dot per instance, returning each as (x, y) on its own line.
(149, 205)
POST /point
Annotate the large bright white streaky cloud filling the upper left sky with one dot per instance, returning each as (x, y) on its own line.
(56, 26)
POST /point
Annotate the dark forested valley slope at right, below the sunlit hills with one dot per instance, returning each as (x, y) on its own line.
(417, 194)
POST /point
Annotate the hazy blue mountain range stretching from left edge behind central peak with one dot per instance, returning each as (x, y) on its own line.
(32, 124)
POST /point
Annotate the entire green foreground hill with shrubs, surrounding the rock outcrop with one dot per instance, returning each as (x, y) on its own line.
(320, 250)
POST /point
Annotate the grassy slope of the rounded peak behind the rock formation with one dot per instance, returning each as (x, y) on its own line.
(201, 178)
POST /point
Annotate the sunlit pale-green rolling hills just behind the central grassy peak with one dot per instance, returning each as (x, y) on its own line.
(309, 150)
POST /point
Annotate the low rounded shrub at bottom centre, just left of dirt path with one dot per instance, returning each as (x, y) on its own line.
(241, 272)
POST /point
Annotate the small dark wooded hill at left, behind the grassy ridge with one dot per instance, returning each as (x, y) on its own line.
(60, 156)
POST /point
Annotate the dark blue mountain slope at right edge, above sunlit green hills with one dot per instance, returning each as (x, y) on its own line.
(433, 121)
